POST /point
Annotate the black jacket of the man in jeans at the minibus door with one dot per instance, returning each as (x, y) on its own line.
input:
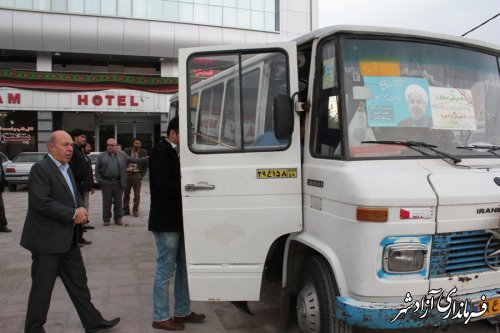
(165, 214)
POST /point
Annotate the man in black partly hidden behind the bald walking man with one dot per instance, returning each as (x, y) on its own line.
(79, 167)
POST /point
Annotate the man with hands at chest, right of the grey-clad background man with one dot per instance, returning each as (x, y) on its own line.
(135, 173)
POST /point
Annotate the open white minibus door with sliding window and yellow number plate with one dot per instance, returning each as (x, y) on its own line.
(241, 179)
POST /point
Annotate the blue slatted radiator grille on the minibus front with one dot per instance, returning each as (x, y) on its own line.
(461, 253)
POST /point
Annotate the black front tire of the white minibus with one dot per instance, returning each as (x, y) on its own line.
(316, 300)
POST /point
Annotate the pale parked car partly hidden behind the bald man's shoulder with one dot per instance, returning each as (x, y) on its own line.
(17, 171)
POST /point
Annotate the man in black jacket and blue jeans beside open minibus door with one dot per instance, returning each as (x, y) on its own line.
(165, 221)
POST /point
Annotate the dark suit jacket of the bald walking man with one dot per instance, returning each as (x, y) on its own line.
(49, 226)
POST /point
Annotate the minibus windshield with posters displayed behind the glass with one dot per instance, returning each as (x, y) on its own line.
(442, 95)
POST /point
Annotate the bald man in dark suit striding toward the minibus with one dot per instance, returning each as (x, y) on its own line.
(54, 208)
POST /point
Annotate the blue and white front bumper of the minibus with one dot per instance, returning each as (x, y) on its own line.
(412, 314)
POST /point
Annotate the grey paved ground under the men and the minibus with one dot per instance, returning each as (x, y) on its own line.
(120, 265)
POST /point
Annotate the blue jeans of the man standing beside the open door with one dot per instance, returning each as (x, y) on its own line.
(171, 259)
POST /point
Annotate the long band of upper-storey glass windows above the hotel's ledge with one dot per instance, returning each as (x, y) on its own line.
(261, 13)
